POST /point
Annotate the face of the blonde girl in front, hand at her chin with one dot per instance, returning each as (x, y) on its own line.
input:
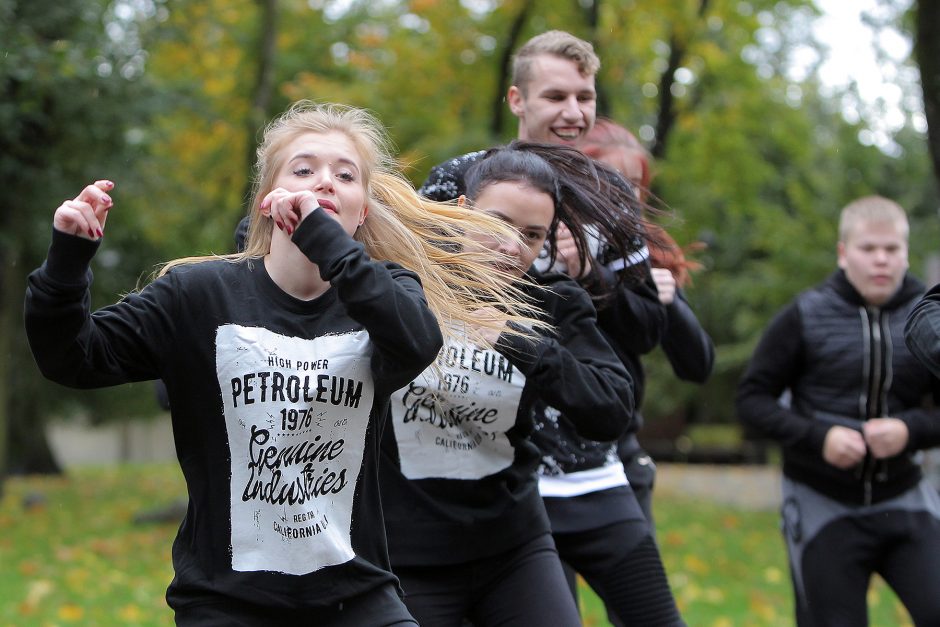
(328, 165)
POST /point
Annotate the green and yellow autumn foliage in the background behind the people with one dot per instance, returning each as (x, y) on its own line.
(160, 96)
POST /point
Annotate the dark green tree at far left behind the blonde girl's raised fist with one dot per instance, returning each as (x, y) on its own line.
(69, 75)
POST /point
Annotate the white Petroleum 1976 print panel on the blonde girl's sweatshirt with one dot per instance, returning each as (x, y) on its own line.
(296, 411)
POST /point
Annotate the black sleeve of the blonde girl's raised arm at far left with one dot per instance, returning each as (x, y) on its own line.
(77, 348)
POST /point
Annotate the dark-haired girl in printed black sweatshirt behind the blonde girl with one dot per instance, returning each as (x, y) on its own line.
(468, 533)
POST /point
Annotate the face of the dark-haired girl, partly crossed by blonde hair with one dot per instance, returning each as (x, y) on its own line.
(530, 211)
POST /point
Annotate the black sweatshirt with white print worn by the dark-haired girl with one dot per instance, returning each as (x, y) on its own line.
(460, 481)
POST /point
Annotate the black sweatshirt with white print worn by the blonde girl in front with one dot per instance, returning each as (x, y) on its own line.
(277, 405)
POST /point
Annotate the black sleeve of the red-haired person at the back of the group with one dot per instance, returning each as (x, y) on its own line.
(688, 347)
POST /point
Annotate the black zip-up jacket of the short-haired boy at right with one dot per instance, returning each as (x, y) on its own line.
(843, 362)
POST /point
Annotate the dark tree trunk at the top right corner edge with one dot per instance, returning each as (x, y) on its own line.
(927, 49)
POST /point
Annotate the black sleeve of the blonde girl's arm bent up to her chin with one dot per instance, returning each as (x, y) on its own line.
(385, 298)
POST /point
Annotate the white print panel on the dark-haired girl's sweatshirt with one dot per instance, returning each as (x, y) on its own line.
(452, 424)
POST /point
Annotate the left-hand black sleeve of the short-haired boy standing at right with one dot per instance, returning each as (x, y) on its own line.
(773, 368)
